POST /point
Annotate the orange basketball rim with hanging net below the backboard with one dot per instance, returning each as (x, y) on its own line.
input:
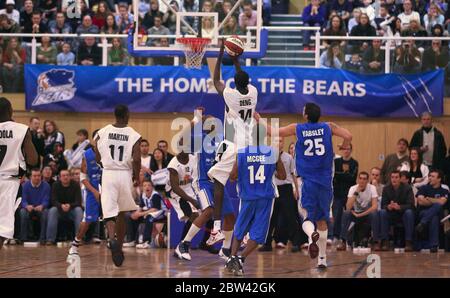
(194, 50)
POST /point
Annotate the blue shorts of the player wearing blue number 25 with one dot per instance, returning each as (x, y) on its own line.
(316, 200)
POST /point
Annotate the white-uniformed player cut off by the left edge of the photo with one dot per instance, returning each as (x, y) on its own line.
(16, 150)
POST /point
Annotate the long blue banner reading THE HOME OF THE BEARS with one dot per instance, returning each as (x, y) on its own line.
(282, 90)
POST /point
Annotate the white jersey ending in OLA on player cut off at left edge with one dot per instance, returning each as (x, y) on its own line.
(12, 135)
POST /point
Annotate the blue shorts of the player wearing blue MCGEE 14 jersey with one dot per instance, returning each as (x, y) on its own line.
(254, 218)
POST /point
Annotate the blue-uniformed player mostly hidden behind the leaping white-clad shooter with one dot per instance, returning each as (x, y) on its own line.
(203, 189)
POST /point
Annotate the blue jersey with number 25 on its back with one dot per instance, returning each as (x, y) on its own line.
(314, 152)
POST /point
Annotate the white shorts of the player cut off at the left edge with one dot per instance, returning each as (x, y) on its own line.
(8, 204)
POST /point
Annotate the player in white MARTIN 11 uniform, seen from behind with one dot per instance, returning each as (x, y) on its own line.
(117, 147)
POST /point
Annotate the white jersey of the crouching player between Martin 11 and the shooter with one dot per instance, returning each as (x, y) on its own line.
(184, 175)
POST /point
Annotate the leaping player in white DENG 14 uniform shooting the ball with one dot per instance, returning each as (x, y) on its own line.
(240, 104)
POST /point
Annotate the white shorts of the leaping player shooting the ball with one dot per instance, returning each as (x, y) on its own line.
(225, 159)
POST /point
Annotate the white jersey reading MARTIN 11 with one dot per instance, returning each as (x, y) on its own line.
(115, 145)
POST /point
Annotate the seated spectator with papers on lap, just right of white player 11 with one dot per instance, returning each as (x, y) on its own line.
(151, 211)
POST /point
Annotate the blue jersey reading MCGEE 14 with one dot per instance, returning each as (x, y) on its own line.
(255, 173)
